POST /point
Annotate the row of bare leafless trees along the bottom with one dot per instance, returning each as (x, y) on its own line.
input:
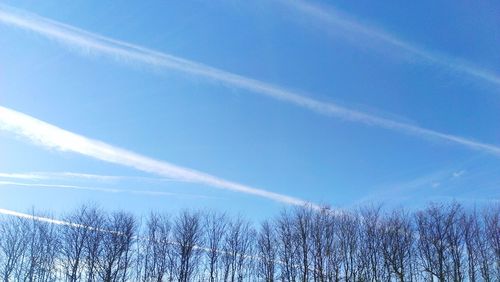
(441, 242)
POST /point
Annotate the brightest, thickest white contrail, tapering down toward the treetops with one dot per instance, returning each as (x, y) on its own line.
(53, 137)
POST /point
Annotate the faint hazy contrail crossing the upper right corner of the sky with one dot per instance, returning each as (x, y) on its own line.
(332, 18)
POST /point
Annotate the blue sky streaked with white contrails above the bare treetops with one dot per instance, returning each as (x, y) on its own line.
(335, 103)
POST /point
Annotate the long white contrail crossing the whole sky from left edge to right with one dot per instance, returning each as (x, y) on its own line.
(120, 50)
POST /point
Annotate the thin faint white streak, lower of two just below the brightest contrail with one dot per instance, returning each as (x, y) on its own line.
(101, 189)
